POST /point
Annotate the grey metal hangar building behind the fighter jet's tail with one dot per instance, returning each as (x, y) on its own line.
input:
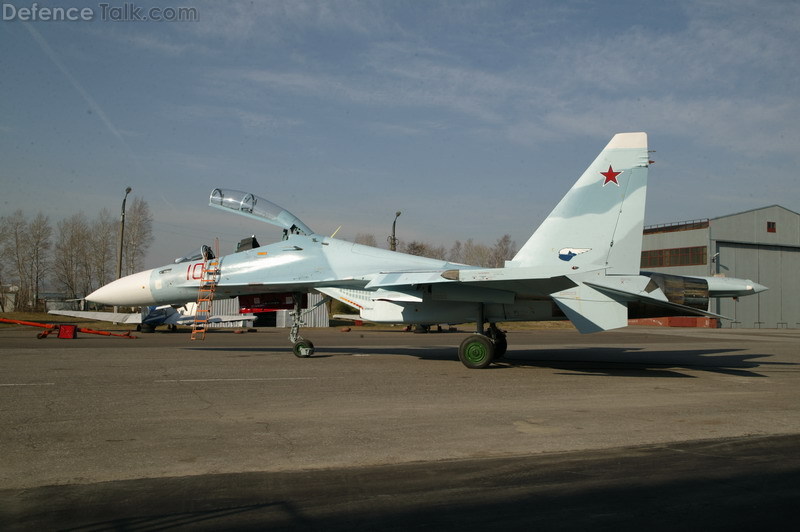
(762, 245)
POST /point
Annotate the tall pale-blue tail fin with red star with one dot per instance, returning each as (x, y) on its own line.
(598, 224)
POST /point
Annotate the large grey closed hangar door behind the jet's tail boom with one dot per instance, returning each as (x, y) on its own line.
(776, 267)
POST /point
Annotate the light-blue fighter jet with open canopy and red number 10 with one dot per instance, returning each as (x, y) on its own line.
(582, 264)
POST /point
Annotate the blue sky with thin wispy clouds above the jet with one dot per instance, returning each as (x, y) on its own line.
(472, 118)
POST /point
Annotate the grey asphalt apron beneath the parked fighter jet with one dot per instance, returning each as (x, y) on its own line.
(663, 428)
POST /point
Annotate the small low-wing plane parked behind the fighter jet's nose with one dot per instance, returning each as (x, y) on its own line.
(152, 316)
